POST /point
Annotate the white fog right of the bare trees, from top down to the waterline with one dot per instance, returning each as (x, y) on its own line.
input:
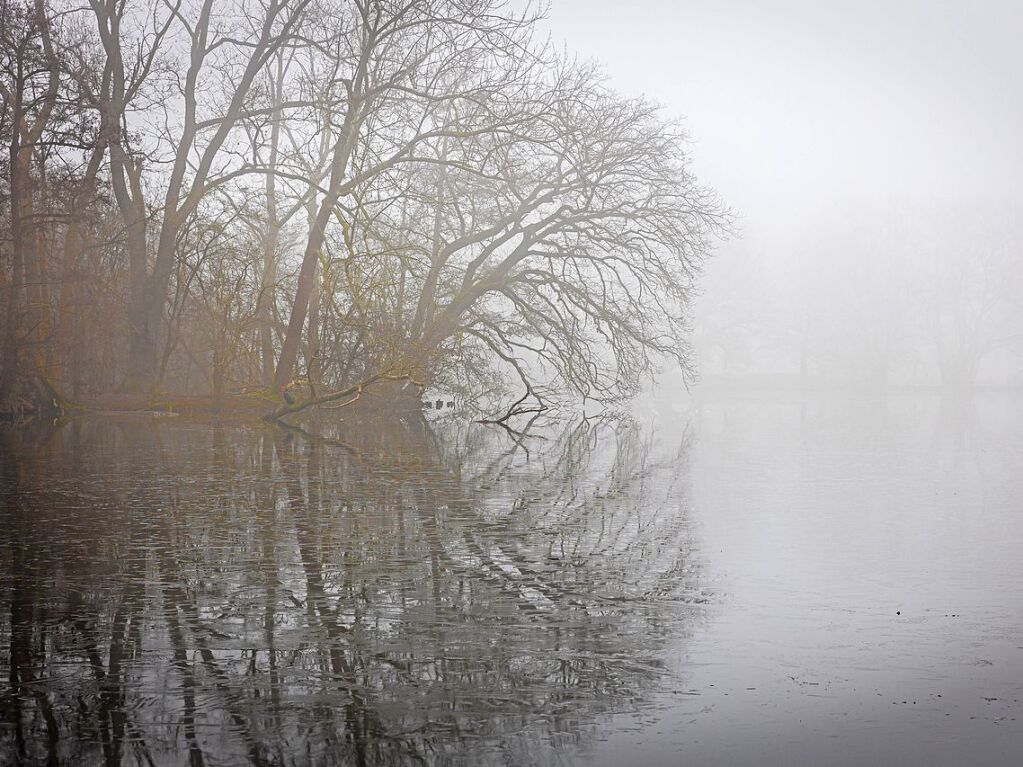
(871, 151)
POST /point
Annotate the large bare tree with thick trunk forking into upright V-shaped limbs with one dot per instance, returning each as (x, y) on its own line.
(223, 53)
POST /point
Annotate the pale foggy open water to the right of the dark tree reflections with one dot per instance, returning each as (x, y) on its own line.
(868, 558)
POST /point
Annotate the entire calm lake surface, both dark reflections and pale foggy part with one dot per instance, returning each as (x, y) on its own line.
(741, 582)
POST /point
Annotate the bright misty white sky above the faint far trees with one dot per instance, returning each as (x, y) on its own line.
(796, 106)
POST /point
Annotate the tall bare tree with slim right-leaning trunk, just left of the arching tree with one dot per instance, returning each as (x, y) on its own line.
(396, 67)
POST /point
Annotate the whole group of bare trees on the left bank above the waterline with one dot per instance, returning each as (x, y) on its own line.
(205, 198)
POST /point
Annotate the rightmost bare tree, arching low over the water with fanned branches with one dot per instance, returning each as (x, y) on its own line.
(584, 259)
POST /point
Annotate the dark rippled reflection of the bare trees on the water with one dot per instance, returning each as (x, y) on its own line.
(413, 596)
